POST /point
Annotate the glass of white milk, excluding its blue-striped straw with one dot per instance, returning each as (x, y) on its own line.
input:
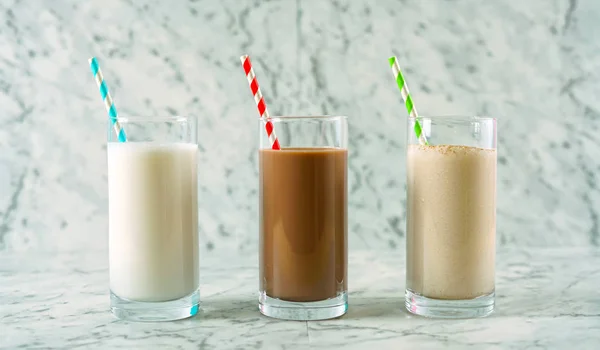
(153, 219)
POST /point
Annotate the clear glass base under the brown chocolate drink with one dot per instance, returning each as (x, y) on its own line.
(303, 311)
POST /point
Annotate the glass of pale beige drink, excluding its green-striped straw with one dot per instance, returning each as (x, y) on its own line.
(451, 217)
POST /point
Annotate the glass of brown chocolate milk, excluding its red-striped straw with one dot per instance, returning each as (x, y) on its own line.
(303, 218)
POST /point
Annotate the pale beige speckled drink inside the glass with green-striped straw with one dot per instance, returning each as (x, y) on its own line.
(451, 224)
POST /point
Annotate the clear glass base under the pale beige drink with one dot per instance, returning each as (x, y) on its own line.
(437, 308)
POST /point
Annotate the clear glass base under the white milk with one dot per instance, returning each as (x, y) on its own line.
(155, 311)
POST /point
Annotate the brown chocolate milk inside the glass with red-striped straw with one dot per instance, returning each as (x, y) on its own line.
(303, 223)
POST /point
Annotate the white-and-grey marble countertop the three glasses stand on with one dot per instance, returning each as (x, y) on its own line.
(546, 298)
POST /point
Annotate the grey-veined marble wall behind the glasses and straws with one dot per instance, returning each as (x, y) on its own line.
(533, 64)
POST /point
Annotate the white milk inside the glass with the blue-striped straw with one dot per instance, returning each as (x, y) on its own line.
(153, 220)
